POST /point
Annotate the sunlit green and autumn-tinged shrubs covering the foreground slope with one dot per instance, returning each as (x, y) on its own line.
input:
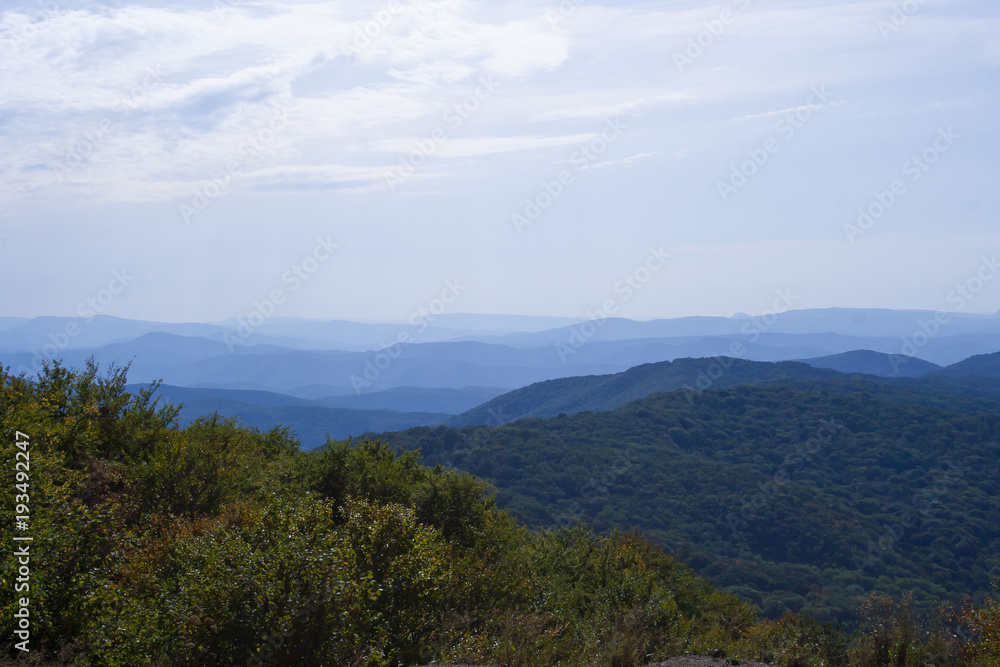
(222, 545)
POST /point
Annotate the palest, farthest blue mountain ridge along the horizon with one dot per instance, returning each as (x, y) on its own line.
(521, 331)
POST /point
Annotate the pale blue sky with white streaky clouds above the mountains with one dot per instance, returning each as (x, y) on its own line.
(198, 162)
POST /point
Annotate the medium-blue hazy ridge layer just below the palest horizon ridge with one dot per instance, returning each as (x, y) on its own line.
(202, 362)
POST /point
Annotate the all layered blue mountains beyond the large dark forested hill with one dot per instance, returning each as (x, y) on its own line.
(341, 378)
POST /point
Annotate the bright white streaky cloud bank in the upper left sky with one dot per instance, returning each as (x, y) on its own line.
(183, 87)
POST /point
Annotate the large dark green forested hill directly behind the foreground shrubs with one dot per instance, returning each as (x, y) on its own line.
(801, 500)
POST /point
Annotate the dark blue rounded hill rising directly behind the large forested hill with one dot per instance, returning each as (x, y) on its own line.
(606, 392)
